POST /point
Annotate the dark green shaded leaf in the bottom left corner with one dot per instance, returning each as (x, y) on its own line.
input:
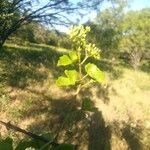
(6, 144)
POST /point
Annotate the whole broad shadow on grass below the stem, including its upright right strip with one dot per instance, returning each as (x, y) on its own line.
(64, 119)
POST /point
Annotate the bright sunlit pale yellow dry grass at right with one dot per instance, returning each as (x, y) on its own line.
(129, 107)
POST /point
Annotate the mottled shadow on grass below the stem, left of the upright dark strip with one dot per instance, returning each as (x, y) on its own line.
(62, 120)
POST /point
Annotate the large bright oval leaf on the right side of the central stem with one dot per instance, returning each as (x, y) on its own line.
(94, 72)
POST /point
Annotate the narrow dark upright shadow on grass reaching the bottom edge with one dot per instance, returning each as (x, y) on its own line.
(99, 134)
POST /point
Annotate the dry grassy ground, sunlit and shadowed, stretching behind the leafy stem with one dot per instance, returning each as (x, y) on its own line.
(30, 99)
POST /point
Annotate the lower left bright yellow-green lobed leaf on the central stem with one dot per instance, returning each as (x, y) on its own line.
(69, 80)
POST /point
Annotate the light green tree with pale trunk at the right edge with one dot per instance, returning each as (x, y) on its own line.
(135, 38)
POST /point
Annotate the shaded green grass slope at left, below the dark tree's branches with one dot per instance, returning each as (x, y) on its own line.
(22, 65)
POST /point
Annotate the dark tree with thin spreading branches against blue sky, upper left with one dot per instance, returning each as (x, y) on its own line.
(16, 13)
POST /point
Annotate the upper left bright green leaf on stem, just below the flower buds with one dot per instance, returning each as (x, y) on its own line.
(64, 61)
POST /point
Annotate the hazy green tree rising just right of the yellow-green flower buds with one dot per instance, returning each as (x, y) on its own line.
(106, 31)
